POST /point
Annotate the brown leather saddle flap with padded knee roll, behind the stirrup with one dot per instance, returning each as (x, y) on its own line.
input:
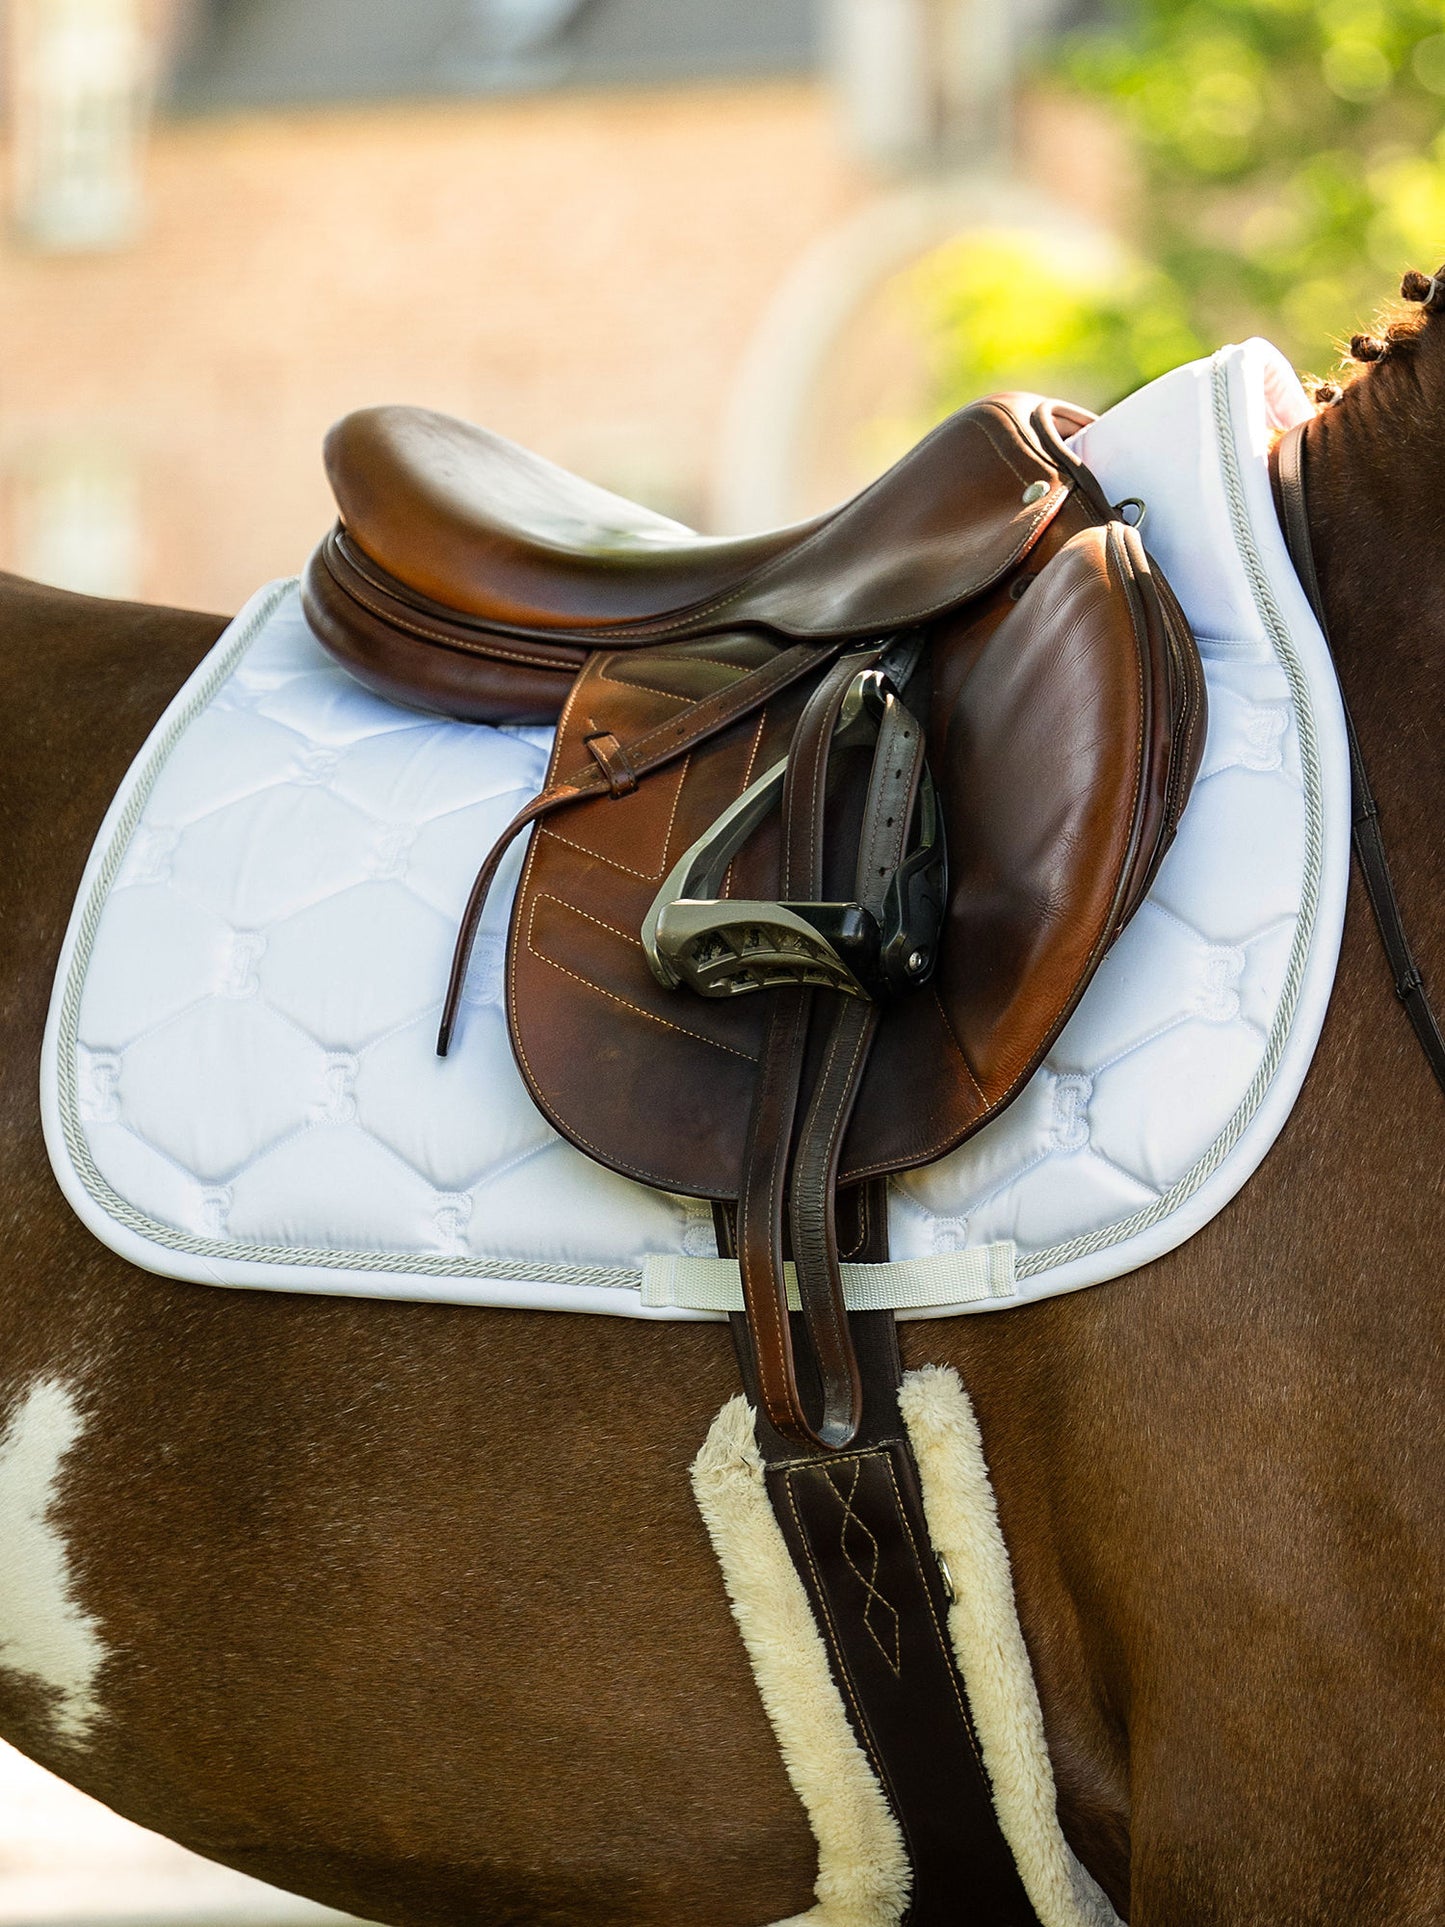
(1063, 735)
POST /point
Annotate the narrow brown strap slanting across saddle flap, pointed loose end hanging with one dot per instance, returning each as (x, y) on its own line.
(648, 752)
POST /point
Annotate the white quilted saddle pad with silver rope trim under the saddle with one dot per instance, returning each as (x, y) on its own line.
(240, 1082)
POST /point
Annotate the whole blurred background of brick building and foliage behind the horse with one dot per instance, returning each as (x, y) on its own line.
(723, 255)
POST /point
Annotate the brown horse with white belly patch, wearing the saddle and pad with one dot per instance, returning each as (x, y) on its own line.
(409, 1608)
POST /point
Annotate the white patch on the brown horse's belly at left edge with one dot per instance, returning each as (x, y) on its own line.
(45, 1633)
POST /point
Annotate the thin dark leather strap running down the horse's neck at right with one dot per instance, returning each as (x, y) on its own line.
(1367, 833)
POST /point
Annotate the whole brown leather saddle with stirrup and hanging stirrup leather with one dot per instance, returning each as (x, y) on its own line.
(839, 822)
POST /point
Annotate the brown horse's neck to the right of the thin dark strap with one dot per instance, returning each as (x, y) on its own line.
(1377, 500)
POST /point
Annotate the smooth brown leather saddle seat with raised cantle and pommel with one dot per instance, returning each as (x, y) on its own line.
(469, 577)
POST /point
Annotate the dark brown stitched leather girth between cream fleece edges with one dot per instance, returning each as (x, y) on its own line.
(858, 1537)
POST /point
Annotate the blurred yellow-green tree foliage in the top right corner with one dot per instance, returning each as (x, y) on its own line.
(1290, 165)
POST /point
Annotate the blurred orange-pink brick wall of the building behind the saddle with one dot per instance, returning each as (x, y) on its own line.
(577, 271)
